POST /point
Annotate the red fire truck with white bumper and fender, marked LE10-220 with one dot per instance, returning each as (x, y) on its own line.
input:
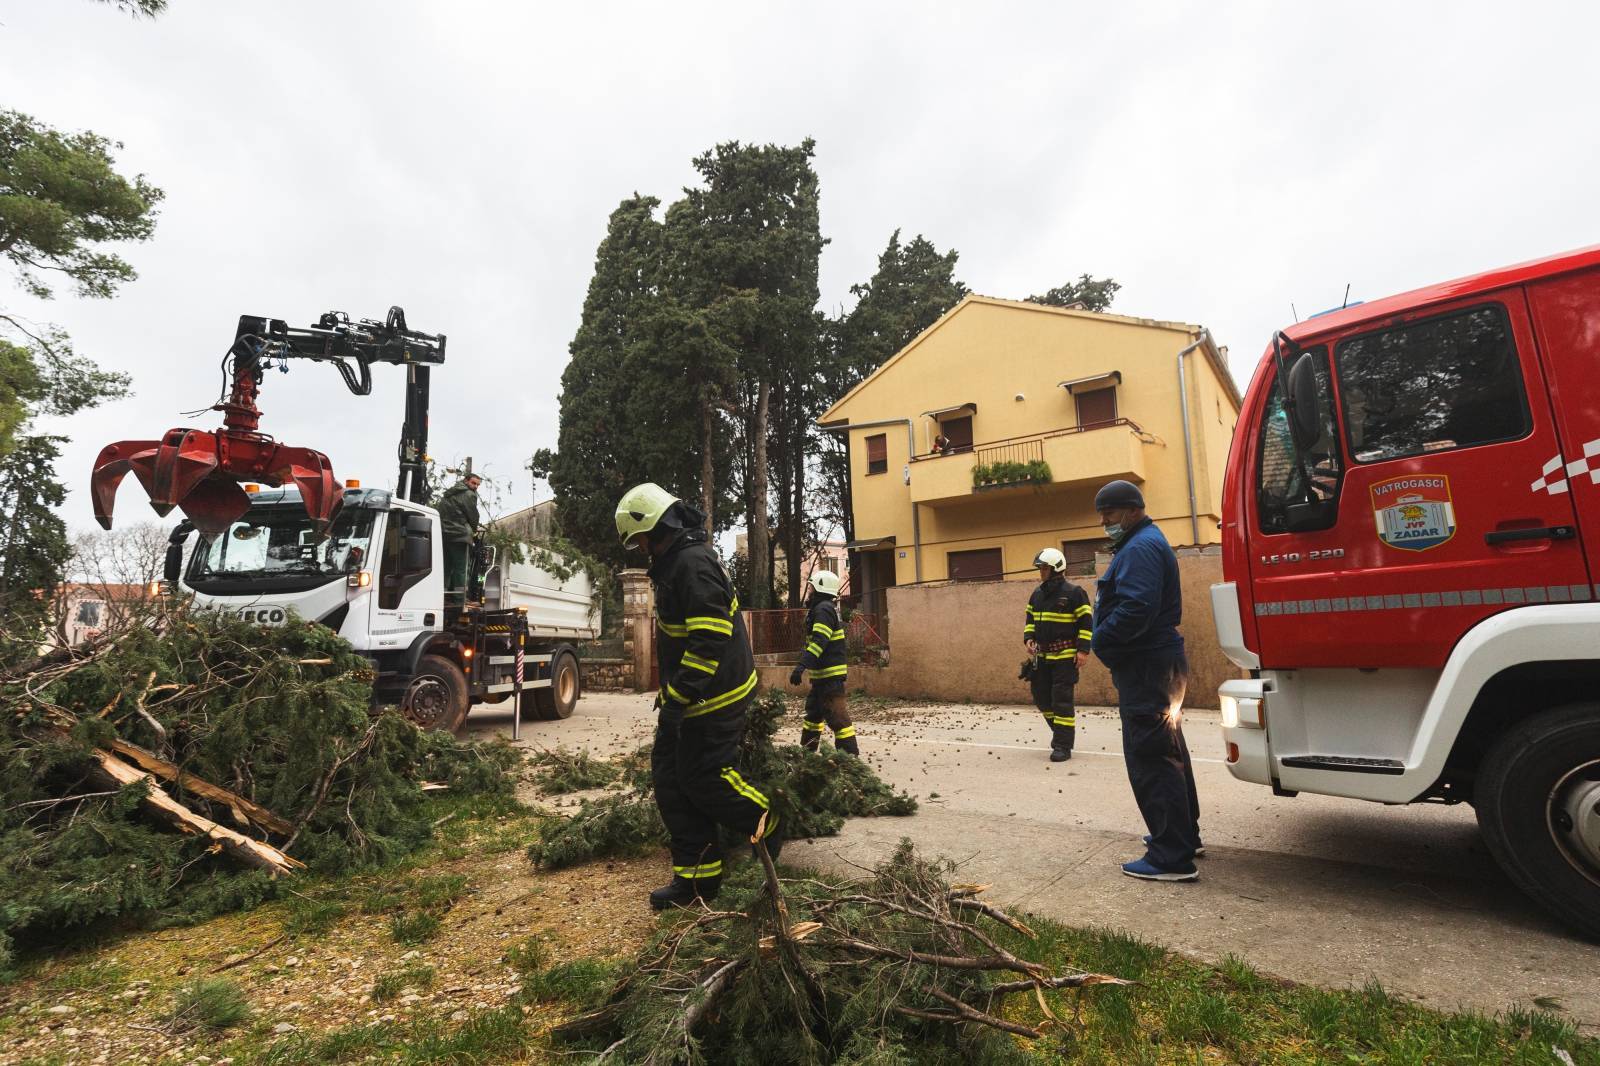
(1412, 564)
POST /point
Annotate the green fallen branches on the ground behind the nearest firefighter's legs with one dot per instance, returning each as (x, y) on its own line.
(812, 795)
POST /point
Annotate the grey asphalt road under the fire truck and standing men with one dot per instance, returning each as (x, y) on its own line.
(1313, 889)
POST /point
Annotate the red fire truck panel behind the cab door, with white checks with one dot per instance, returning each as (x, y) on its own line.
(1567, 319)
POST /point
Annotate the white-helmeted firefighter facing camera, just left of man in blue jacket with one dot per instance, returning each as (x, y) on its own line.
(1057, 631)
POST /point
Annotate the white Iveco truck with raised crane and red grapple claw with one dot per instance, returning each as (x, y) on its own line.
(366, 563)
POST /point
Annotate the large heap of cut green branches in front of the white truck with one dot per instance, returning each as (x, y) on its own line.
(247, 708)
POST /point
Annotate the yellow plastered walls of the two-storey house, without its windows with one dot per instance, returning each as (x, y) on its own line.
(986, 353)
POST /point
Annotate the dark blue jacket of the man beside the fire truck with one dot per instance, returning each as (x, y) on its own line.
(1140, 601)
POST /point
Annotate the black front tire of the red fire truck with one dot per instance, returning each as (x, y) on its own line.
(1538, 804)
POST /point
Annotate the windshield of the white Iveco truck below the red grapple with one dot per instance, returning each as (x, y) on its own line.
(278, 550)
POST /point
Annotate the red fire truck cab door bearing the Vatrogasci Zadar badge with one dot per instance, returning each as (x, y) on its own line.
(1410, 516)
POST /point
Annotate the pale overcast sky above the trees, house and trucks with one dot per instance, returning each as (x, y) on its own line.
(460, 159)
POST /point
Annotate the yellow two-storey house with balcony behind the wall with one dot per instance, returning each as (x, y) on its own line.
(988, 436)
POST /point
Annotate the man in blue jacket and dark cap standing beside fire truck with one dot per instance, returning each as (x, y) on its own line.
(1137, 617)
